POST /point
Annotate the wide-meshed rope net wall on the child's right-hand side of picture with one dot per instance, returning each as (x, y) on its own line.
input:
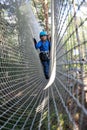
(71, 53)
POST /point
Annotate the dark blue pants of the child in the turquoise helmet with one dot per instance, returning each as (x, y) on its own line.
(46, 67)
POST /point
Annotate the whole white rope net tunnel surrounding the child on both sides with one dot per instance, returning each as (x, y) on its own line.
(27, 100)
